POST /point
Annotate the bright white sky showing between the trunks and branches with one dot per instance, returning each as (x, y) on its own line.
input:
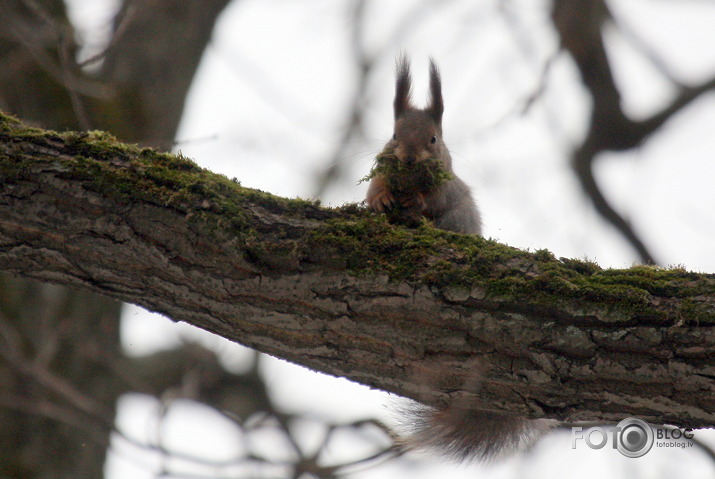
(268, 106)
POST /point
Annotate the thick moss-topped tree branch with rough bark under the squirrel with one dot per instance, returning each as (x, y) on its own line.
(417, 312)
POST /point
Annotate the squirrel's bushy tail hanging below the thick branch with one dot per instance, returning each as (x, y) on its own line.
(464, 434)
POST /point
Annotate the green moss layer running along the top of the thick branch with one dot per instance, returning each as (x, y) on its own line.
(350, 237)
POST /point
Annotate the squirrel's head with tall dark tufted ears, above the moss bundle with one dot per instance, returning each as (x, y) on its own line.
(418, 132)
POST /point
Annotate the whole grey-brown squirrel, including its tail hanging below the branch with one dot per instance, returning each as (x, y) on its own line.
(456, 431)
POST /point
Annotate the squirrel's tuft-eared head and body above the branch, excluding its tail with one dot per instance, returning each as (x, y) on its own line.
(410, 193)
